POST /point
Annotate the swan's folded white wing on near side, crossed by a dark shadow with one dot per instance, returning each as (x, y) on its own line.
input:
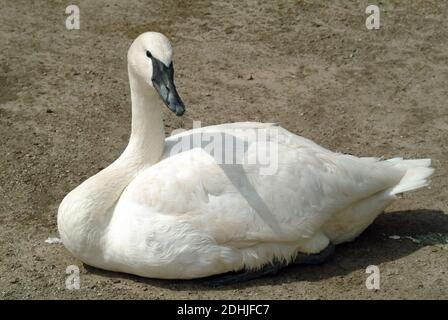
(235, 204)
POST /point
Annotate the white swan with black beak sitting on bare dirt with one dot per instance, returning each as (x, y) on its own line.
(157, 212)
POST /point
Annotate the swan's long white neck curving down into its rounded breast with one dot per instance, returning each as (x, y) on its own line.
(85, 212)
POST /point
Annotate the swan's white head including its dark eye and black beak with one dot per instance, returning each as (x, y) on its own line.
(150, 59)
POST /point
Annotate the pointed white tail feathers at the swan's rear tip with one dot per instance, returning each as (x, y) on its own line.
(416, 176)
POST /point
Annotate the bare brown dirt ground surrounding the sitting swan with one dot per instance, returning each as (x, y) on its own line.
(311, 66)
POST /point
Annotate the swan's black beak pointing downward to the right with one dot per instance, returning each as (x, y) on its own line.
(163, 81)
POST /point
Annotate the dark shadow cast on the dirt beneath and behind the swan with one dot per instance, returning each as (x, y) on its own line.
(373, 247)
